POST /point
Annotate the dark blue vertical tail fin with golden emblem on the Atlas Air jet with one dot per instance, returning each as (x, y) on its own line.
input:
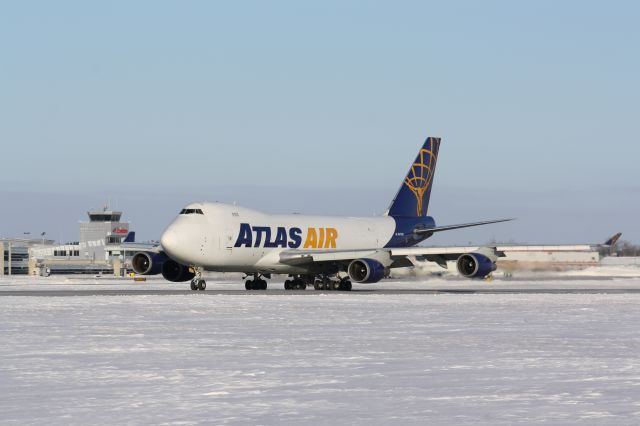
(413, 197)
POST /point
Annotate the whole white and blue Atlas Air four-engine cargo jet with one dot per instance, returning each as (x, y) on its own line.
(324, 251)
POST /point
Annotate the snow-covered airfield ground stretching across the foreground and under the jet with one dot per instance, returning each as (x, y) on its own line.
(221, 357)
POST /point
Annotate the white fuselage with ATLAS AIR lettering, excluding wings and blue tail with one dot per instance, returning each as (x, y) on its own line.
(227, 238)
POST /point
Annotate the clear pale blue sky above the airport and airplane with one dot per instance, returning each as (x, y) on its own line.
(320, 107)
